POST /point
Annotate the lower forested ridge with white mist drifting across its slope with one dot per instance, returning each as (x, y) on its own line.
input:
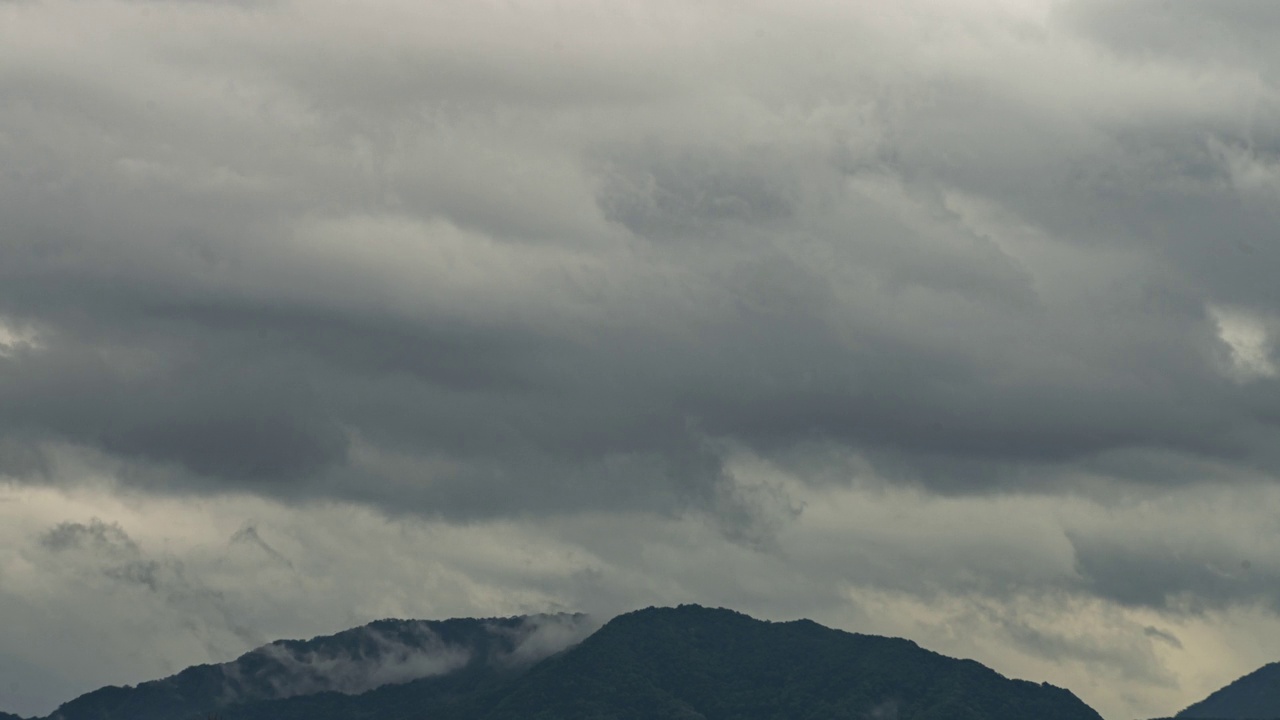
(387, 653)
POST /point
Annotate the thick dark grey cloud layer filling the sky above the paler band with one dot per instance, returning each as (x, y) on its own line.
(536, 271)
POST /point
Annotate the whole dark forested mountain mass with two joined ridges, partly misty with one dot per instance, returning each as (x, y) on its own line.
(685, 663)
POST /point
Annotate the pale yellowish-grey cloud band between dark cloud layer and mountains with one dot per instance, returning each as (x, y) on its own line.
(1005, 580)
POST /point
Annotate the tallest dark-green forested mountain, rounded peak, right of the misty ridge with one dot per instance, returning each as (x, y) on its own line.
(693, 663)
